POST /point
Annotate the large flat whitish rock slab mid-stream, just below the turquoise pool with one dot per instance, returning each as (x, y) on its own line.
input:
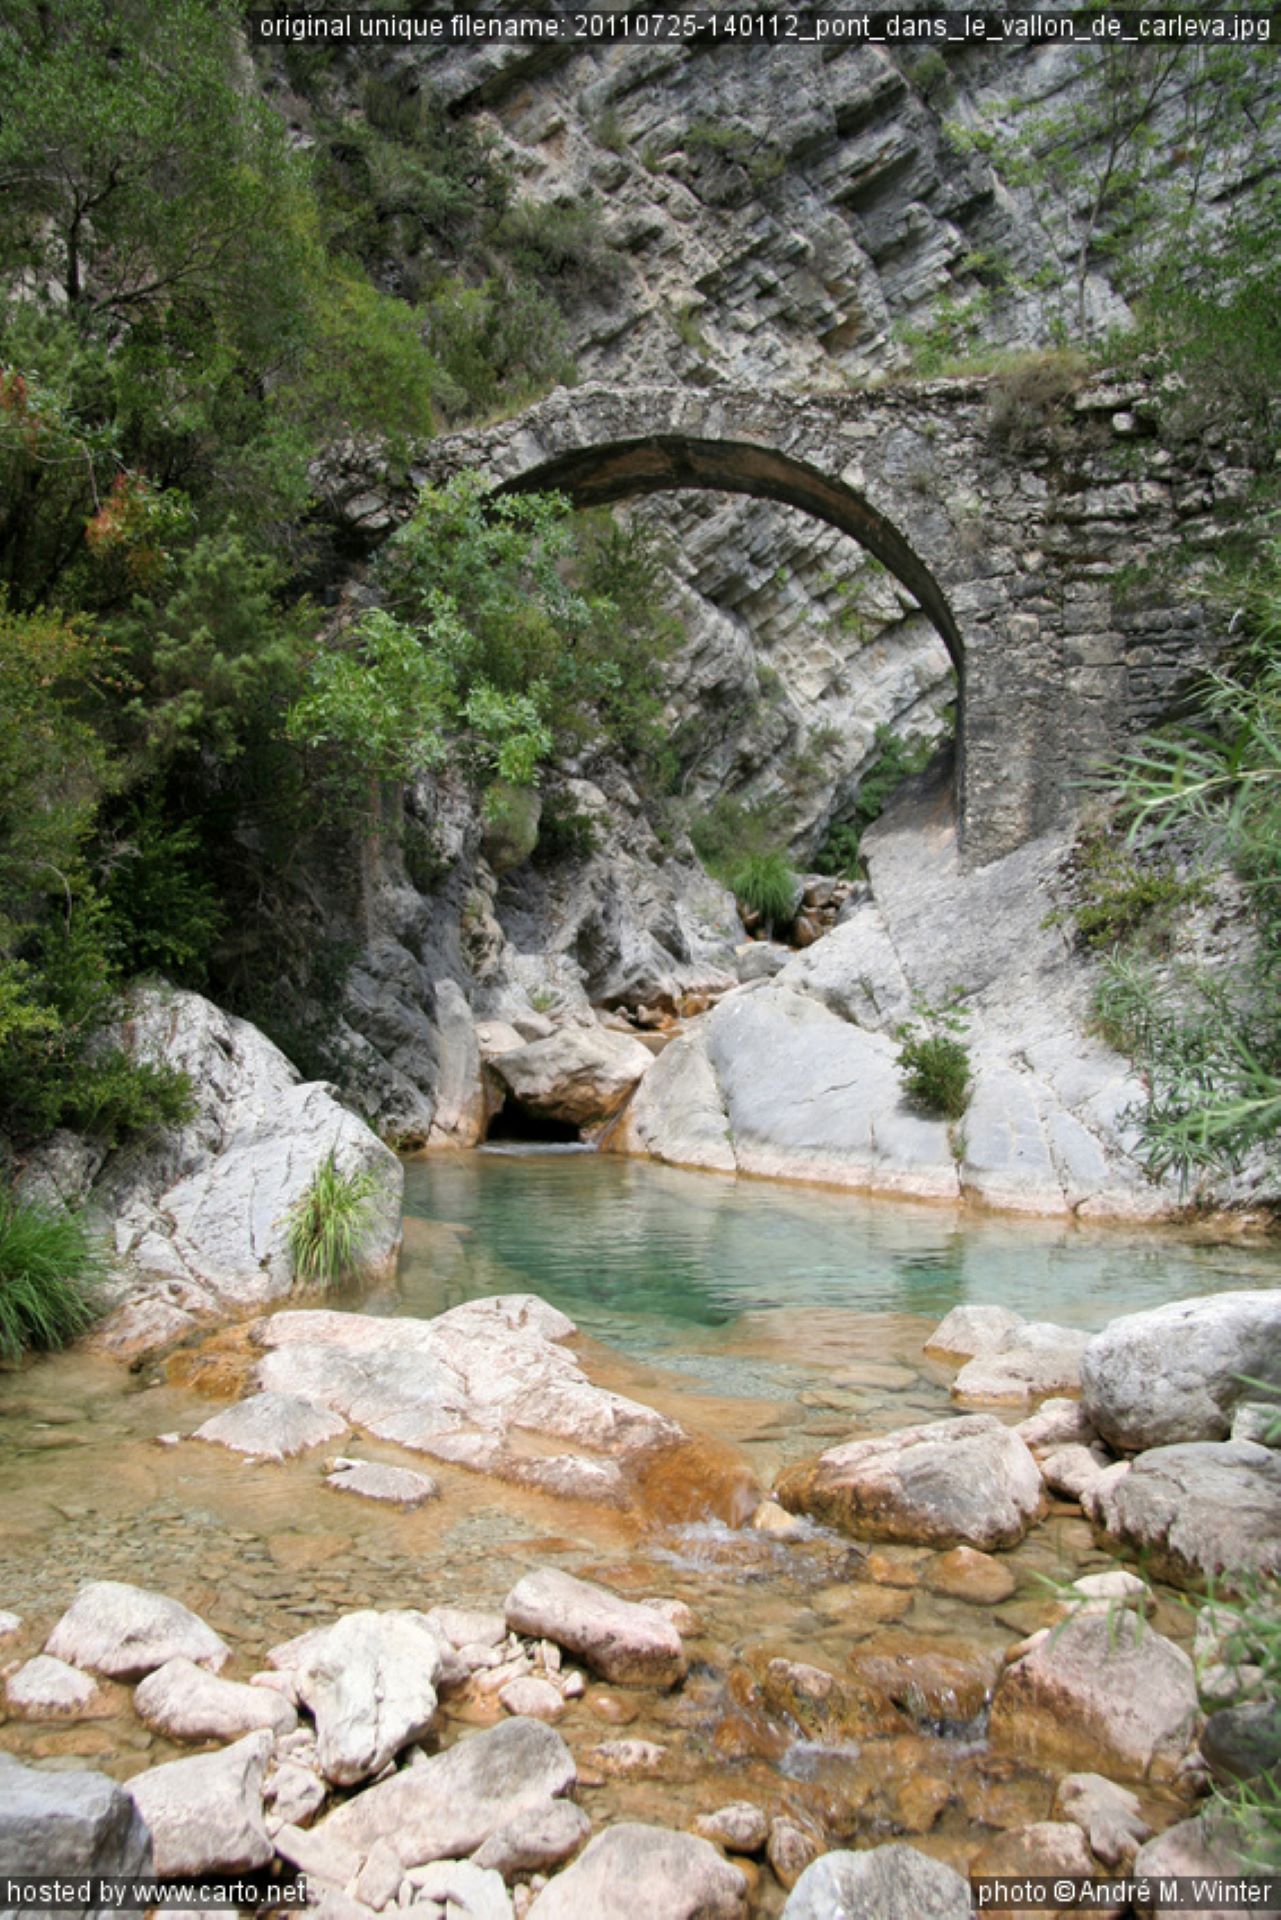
(468, 1387)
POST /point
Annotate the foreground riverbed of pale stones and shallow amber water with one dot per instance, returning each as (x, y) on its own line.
(518, 1625)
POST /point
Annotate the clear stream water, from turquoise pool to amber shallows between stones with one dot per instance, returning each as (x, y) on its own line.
(769, 1320)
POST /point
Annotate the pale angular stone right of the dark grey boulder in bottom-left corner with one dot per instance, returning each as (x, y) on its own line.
(206, 1815)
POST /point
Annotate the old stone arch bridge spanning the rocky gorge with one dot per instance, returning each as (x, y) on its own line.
(1015, 523)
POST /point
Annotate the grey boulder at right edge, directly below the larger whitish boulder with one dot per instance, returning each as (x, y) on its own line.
(1199, 1512)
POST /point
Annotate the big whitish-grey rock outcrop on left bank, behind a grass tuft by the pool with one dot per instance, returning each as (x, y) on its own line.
(203, 1216)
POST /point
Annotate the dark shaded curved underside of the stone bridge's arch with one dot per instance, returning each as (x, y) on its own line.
(660, 464)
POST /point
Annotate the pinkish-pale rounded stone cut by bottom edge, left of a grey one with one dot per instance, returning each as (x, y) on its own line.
(633, 1869)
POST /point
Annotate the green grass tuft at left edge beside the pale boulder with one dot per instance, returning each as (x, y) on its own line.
(51, 1272)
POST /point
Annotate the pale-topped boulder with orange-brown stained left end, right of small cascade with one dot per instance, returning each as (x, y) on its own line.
(952, 1483)
